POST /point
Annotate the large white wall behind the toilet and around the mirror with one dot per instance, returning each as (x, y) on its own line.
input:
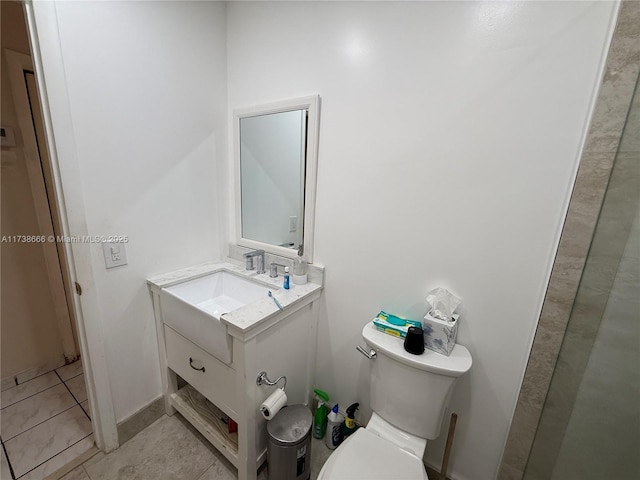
(449, 137)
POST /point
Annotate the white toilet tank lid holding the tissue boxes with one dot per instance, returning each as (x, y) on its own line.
(455, 365)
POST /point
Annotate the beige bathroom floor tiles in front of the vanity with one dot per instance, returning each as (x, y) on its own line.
(171, 449)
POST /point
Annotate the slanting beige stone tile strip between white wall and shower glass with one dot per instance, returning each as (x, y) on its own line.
(602, 144)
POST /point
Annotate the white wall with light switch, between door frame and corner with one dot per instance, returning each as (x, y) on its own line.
(147, 99)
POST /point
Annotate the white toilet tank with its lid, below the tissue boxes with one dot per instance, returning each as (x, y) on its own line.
(412, 391)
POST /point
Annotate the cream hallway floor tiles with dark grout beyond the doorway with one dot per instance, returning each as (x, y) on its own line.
(45, 423)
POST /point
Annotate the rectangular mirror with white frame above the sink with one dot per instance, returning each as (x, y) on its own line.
(275, 156)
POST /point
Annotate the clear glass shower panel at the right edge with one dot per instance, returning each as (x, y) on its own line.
(590, 423)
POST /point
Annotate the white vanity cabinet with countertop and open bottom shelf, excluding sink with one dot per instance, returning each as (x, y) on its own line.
(263, 338)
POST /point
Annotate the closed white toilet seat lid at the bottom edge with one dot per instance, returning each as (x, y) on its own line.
(366, 456)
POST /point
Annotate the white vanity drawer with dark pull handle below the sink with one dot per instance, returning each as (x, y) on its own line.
(205, 373)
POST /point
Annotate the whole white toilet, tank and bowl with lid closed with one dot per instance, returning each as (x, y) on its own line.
(409, 394)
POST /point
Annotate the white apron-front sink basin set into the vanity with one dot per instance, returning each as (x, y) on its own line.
(193, 308)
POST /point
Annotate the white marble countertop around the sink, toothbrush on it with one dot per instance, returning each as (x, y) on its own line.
(252, 314)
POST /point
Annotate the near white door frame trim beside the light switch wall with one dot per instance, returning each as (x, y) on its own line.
(41, 18)
